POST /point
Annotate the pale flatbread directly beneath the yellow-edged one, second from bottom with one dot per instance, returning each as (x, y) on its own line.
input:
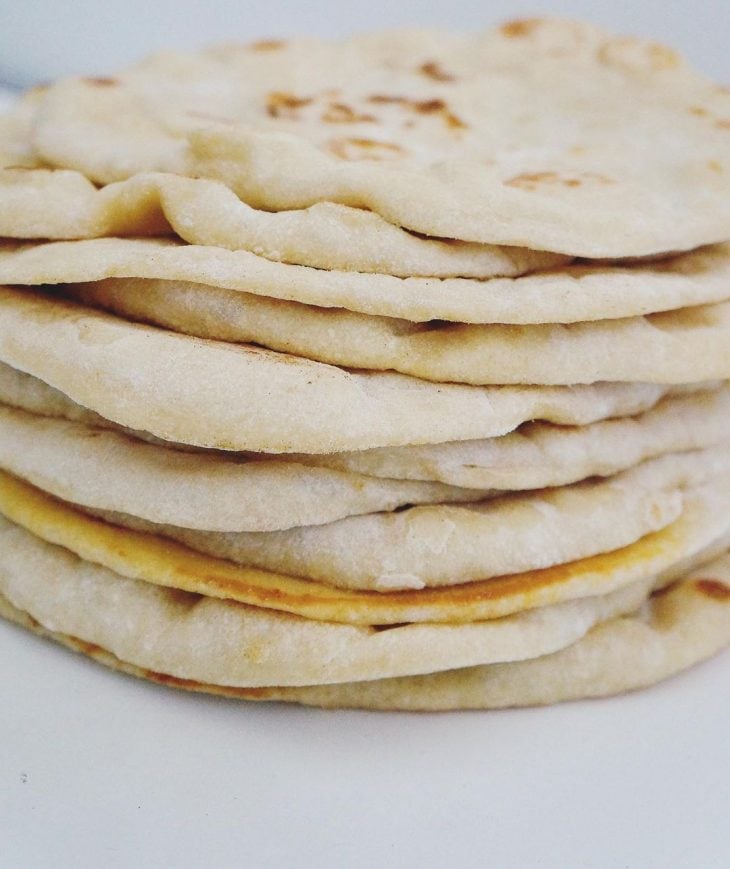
(229, 642)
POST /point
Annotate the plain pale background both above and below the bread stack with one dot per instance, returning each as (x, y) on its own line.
(97, 770)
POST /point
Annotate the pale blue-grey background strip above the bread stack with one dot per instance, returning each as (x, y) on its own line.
(40, 39)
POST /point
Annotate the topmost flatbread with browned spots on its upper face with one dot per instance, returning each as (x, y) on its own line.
(550, 135)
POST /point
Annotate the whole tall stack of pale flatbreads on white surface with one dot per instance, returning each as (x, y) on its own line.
(382, 373)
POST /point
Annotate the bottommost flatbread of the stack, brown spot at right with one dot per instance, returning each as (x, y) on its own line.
(678, 629)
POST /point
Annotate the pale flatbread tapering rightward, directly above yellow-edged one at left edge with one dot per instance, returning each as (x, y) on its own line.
(97, 468)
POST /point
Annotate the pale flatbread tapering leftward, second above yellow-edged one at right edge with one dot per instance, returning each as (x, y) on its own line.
(541, 454)
